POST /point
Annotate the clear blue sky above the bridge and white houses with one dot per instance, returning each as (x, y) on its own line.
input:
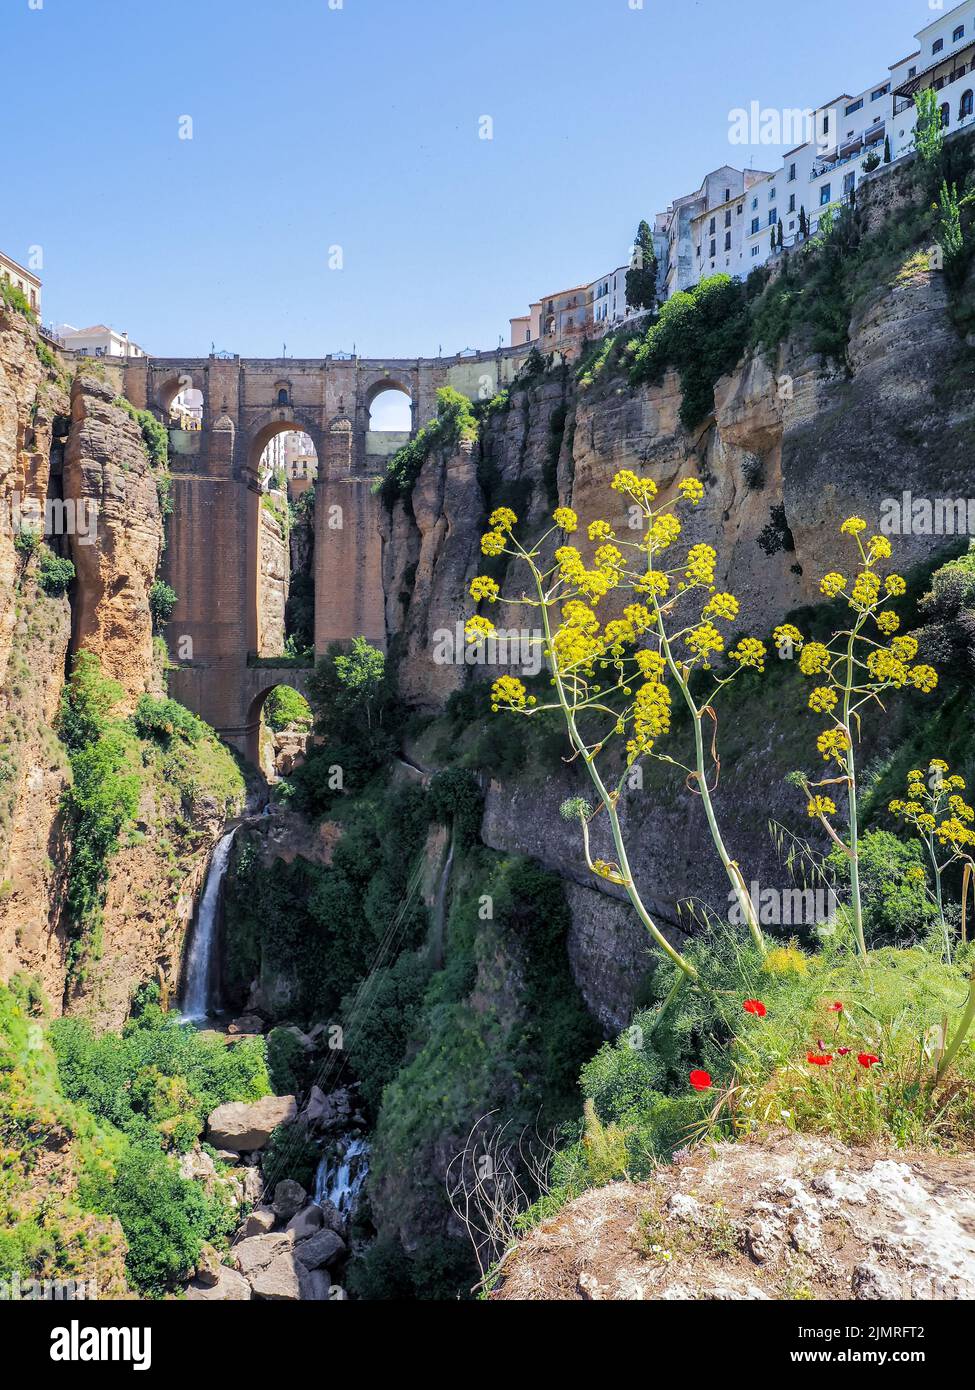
(358, 127)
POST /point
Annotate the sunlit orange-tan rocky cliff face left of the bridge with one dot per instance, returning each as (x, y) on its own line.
(94, 459)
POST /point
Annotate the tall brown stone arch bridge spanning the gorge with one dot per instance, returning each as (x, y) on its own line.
(213, 534)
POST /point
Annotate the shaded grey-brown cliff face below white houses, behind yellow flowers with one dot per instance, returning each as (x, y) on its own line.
(792, 447)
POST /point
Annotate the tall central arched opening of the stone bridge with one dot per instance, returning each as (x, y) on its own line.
(283, 550)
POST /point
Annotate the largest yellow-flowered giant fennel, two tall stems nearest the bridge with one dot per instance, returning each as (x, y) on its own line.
(614, 678)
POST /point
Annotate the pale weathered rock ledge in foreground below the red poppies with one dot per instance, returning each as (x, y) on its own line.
(792, 1218)
